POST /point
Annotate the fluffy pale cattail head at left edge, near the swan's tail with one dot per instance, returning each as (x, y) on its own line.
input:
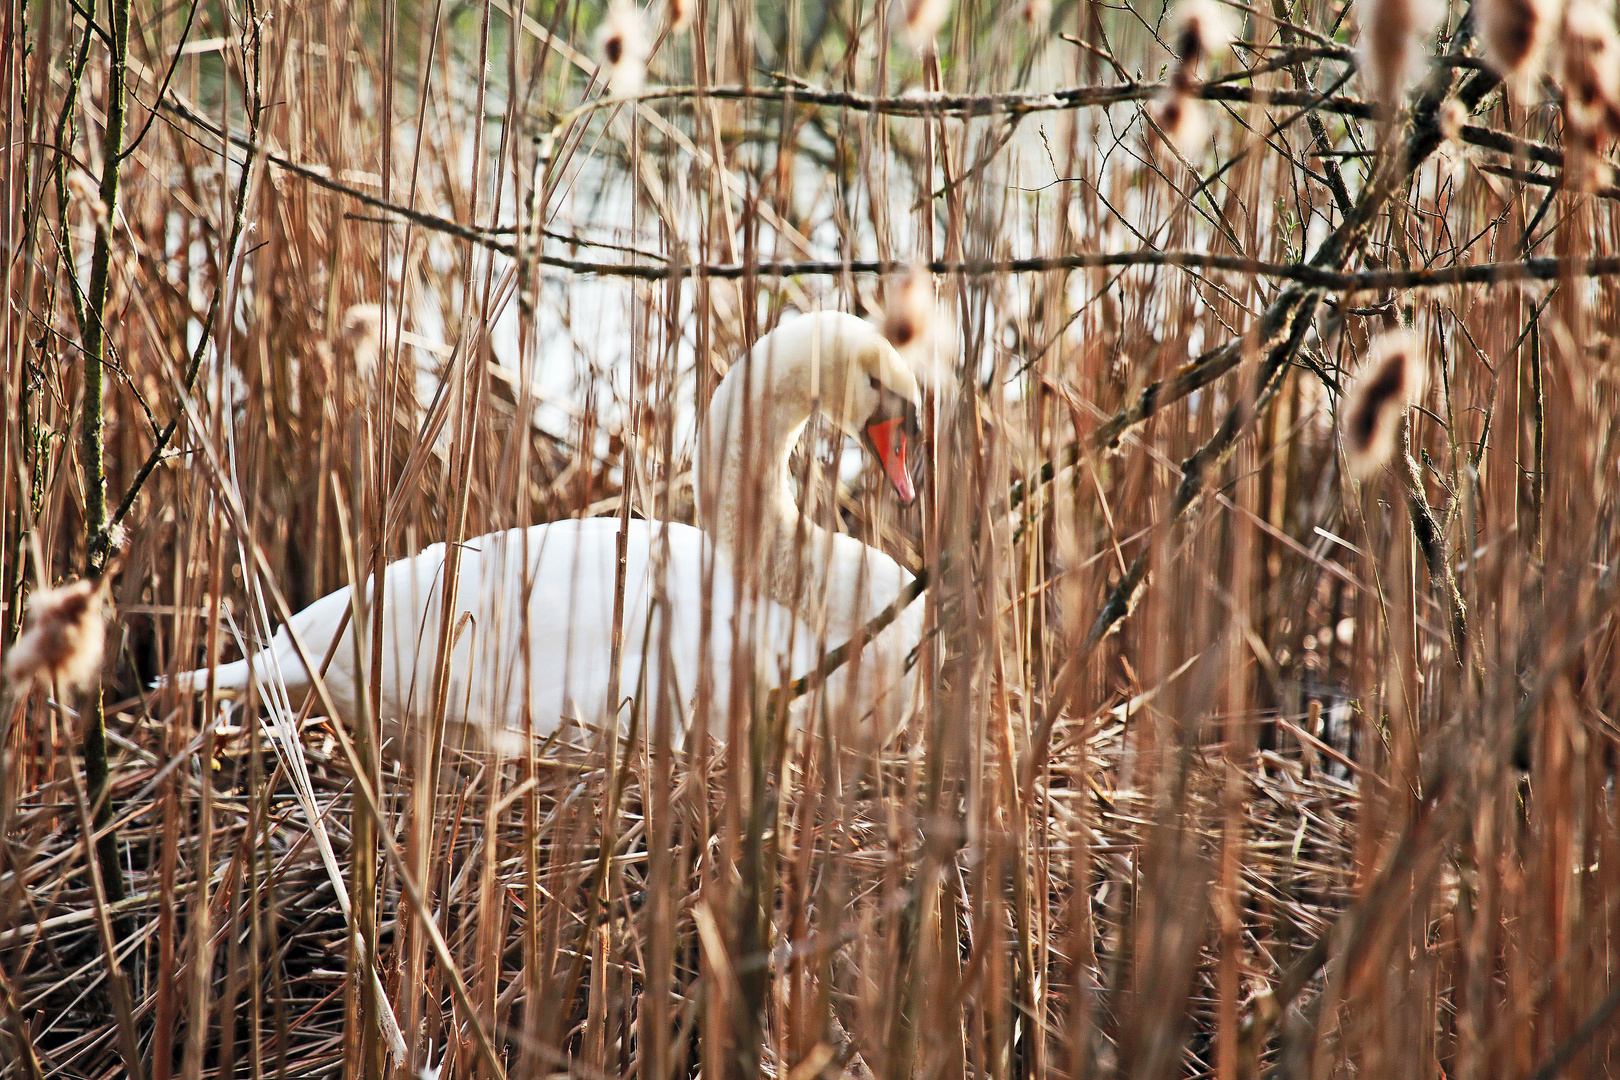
(64, 636)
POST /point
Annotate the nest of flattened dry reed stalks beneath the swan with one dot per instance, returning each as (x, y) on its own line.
(278, 940)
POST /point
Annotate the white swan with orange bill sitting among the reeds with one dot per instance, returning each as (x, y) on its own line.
(535, 608)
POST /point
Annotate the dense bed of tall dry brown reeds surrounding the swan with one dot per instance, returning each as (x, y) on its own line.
(1268, 715)
